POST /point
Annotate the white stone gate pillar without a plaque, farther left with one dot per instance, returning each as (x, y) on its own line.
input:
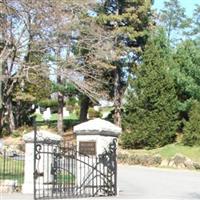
(28, 186)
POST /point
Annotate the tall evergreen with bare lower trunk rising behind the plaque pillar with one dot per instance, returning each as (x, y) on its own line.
(127, 22)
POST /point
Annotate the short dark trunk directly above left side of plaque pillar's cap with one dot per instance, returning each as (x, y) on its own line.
(84, 108)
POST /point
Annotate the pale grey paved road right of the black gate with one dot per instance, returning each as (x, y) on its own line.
(148, 183)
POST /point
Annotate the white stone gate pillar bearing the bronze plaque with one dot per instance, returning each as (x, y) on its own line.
(93, 139)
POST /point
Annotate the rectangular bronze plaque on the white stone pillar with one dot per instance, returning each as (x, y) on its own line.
(87, 148)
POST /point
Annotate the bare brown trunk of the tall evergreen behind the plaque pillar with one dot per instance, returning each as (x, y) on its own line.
(118, 94)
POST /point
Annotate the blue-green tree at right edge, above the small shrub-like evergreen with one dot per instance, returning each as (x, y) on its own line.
(186, 73)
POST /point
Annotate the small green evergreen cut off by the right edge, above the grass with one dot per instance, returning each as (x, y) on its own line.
(191, 134)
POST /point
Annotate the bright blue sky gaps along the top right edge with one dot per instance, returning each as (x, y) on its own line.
(189, 5)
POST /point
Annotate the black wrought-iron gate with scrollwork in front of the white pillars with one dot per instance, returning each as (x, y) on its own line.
(60, 171)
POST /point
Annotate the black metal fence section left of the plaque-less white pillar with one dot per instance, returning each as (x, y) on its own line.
(11, 171)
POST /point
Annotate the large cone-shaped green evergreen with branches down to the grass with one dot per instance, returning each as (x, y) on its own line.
(150, 109)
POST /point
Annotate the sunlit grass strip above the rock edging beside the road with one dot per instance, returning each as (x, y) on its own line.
(169, 151)
